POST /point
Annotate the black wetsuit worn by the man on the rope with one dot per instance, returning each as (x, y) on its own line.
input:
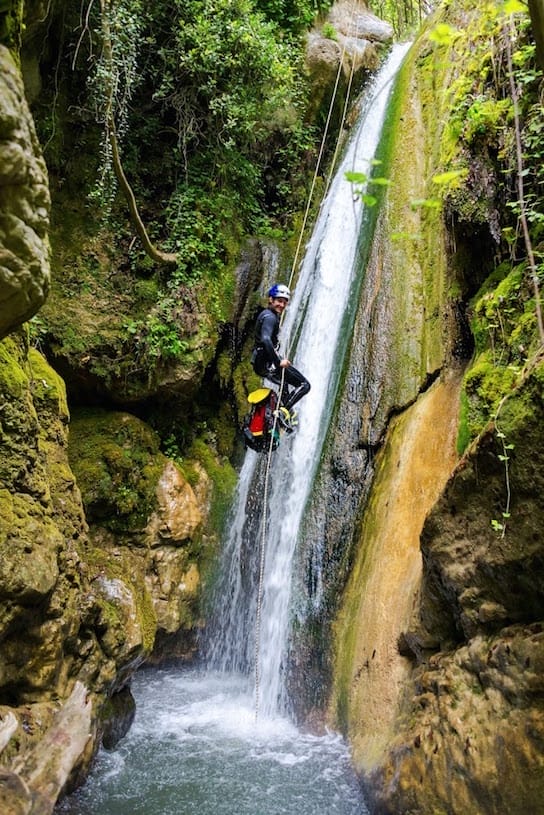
(266, 360)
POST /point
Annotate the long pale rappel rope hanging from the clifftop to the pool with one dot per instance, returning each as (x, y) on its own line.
(262, 556)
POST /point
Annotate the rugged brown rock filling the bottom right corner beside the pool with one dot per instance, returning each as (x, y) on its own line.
(473, 741)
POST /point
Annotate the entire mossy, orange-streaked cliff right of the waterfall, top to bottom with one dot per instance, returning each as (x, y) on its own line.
(439, 638)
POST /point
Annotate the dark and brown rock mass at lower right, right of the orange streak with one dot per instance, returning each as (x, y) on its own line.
(470, 735)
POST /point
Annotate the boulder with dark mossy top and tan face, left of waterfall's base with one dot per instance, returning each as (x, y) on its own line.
(145, 525)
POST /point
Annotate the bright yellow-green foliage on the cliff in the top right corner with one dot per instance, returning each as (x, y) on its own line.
(479, 104)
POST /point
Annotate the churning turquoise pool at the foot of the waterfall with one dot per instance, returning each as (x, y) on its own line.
(195, 748)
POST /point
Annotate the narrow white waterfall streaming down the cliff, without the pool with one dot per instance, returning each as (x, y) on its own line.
(316, 328)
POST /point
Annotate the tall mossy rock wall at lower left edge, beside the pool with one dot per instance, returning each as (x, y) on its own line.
(65, 621)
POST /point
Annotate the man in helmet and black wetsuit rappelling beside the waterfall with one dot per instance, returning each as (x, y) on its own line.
(267, 362)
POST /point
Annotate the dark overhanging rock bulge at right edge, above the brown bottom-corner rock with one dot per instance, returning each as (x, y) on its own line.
(479, 579)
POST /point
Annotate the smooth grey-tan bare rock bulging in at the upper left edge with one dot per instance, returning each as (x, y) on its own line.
(24, 205)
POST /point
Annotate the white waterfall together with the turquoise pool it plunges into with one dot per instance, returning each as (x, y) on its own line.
(196, 745)
